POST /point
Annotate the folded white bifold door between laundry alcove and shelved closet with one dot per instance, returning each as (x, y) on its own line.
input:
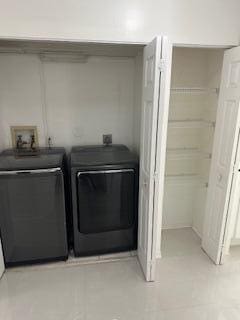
(155, 105)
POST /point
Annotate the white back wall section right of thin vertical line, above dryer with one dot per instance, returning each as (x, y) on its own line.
(86, 100)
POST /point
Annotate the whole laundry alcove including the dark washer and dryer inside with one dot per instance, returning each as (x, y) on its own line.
(69, 95)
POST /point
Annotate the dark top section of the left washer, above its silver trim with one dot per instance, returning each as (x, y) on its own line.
(43, 159)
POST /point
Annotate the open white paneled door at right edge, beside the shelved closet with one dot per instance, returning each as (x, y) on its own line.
(223, 158)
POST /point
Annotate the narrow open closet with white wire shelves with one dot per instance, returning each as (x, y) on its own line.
(195, 82)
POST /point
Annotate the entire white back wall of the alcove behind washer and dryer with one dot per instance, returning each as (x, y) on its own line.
(84, 100)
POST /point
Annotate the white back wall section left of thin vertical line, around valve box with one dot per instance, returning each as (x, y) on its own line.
(20, 95)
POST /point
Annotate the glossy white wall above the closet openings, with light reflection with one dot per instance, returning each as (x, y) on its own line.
(204, 22)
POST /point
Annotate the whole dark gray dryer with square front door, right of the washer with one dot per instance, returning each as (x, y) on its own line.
(104, 199)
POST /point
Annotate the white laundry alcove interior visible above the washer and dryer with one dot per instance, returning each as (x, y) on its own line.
(72, 92)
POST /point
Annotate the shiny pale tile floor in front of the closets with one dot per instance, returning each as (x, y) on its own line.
(188, 287)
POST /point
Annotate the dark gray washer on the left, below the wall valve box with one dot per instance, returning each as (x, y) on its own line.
(32, 206)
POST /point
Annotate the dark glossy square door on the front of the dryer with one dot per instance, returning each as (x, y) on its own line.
(106, 200)
